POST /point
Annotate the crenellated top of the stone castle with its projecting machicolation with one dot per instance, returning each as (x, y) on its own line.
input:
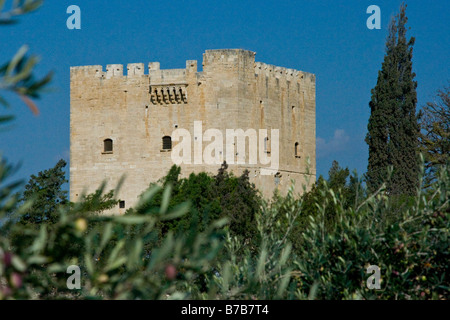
(170, 86)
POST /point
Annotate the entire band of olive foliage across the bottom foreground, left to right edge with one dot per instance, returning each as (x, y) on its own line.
(127, 257)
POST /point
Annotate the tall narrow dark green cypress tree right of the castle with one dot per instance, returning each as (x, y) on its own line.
(393, 127)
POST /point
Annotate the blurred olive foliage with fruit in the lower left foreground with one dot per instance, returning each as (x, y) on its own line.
(110, 253)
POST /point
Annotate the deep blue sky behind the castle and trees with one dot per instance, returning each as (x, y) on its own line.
(327, 38)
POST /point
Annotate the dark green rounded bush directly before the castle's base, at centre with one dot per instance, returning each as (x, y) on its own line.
(212, 198)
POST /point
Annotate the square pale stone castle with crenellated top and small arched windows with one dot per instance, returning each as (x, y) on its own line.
(124, 124)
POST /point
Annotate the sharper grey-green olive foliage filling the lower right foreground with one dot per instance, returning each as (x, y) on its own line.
(411, 251)
